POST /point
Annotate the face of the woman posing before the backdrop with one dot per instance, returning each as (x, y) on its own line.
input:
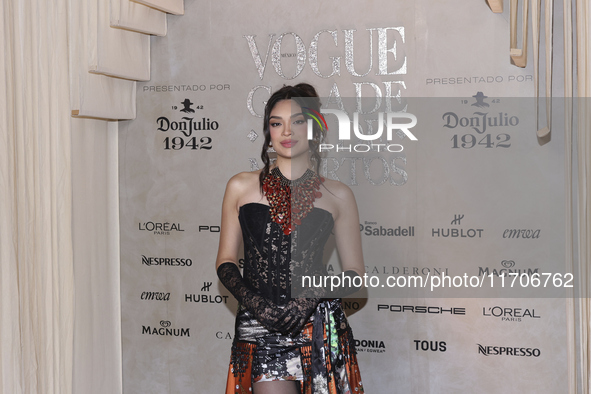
(288, 128)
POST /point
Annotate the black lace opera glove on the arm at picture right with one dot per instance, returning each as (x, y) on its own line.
(298, 310)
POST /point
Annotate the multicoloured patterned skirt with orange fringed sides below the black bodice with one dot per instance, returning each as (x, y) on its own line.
(322, 356)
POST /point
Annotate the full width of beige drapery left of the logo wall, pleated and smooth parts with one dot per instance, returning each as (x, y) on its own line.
(59, 254)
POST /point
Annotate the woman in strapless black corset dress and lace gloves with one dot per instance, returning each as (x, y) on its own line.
(284, 214)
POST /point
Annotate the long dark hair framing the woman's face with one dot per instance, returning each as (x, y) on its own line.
(305, 95)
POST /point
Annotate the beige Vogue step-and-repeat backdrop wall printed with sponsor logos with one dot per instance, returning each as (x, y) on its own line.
(474, 198)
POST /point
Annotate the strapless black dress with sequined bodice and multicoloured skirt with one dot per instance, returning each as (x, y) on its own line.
(322, 356)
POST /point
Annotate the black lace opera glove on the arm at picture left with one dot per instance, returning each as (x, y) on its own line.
(265, 311)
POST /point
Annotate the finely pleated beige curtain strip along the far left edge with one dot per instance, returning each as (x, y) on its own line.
(36, 270)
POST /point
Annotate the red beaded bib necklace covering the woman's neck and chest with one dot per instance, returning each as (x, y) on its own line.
(291, 201)
